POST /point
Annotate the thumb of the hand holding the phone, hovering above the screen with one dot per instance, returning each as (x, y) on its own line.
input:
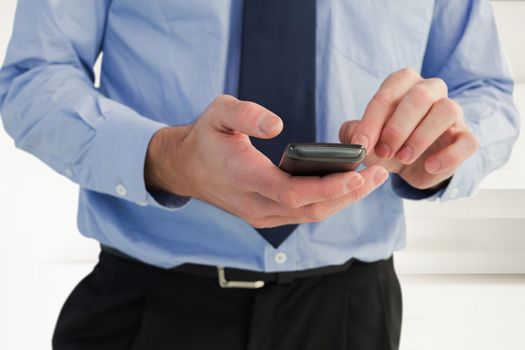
(233, 115)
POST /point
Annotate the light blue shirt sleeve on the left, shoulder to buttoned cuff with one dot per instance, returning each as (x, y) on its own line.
(50, 107)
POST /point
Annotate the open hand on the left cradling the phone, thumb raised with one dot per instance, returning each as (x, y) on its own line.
(213, 160)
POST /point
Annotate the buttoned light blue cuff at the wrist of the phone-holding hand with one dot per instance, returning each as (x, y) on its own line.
(122, 142)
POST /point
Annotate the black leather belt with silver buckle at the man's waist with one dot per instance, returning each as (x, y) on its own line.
(238, 278)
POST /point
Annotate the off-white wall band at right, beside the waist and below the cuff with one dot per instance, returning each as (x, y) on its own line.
(481, 234)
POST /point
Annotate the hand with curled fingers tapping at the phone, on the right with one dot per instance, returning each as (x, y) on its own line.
(412, 128)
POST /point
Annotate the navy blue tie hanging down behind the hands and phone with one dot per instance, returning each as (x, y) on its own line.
(278, 72)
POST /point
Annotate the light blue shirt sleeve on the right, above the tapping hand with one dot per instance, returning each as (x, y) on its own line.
(465, 51)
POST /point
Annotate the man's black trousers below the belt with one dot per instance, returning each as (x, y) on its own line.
(128, 305)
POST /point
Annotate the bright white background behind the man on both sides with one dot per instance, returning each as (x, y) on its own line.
(462, 273)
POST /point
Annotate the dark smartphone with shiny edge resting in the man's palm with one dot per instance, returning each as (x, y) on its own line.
(318, 159)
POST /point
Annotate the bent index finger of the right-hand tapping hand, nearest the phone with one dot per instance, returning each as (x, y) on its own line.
(382, 105)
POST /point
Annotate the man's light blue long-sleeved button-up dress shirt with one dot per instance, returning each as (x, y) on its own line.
(164, 61)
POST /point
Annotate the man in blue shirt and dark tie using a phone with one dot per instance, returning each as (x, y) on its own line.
(206, 244)
